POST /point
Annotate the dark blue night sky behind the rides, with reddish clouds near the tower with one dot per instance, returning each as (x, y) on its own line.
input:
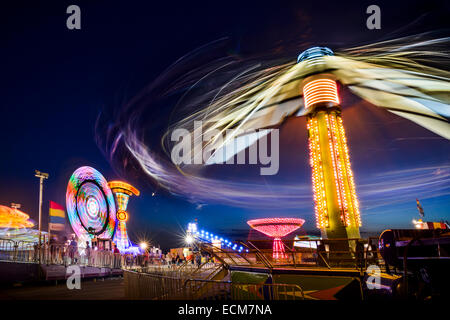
(56, 81)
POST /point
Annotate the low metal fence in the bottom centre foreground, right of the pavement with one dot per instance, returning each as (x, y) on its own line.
(140, 285)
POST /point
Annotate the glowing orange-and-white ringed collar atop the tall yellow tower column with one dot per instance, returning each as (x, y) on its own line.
(320, 90)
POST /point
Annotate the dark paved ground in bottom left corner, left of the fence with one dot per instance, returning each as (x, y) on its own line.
(108, 289)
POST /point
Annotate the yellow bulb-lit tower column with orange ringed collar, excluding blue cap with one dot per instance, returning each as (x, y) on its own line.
(332, 177)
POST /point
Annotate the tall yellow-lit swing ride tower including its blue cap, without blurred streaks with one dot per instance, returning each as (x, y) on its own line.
(336, 204)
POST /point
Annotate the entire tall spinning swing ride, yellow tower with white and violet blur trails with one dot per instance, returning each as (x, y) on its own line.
(250, 101)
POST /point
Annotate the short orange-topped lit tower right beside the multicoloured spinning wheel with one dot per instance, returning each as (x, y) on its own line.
(123, 191)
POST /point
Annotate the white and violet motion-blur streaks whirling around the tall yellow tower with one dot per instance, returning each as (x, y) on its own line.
(400, 76)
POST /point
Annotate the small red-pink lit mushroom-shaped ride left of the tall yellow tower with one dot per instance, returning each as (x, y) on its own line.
(276, 228)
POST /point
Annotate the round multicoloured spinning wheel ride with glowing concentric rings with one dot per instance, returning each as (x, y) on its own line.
(90, 205)
